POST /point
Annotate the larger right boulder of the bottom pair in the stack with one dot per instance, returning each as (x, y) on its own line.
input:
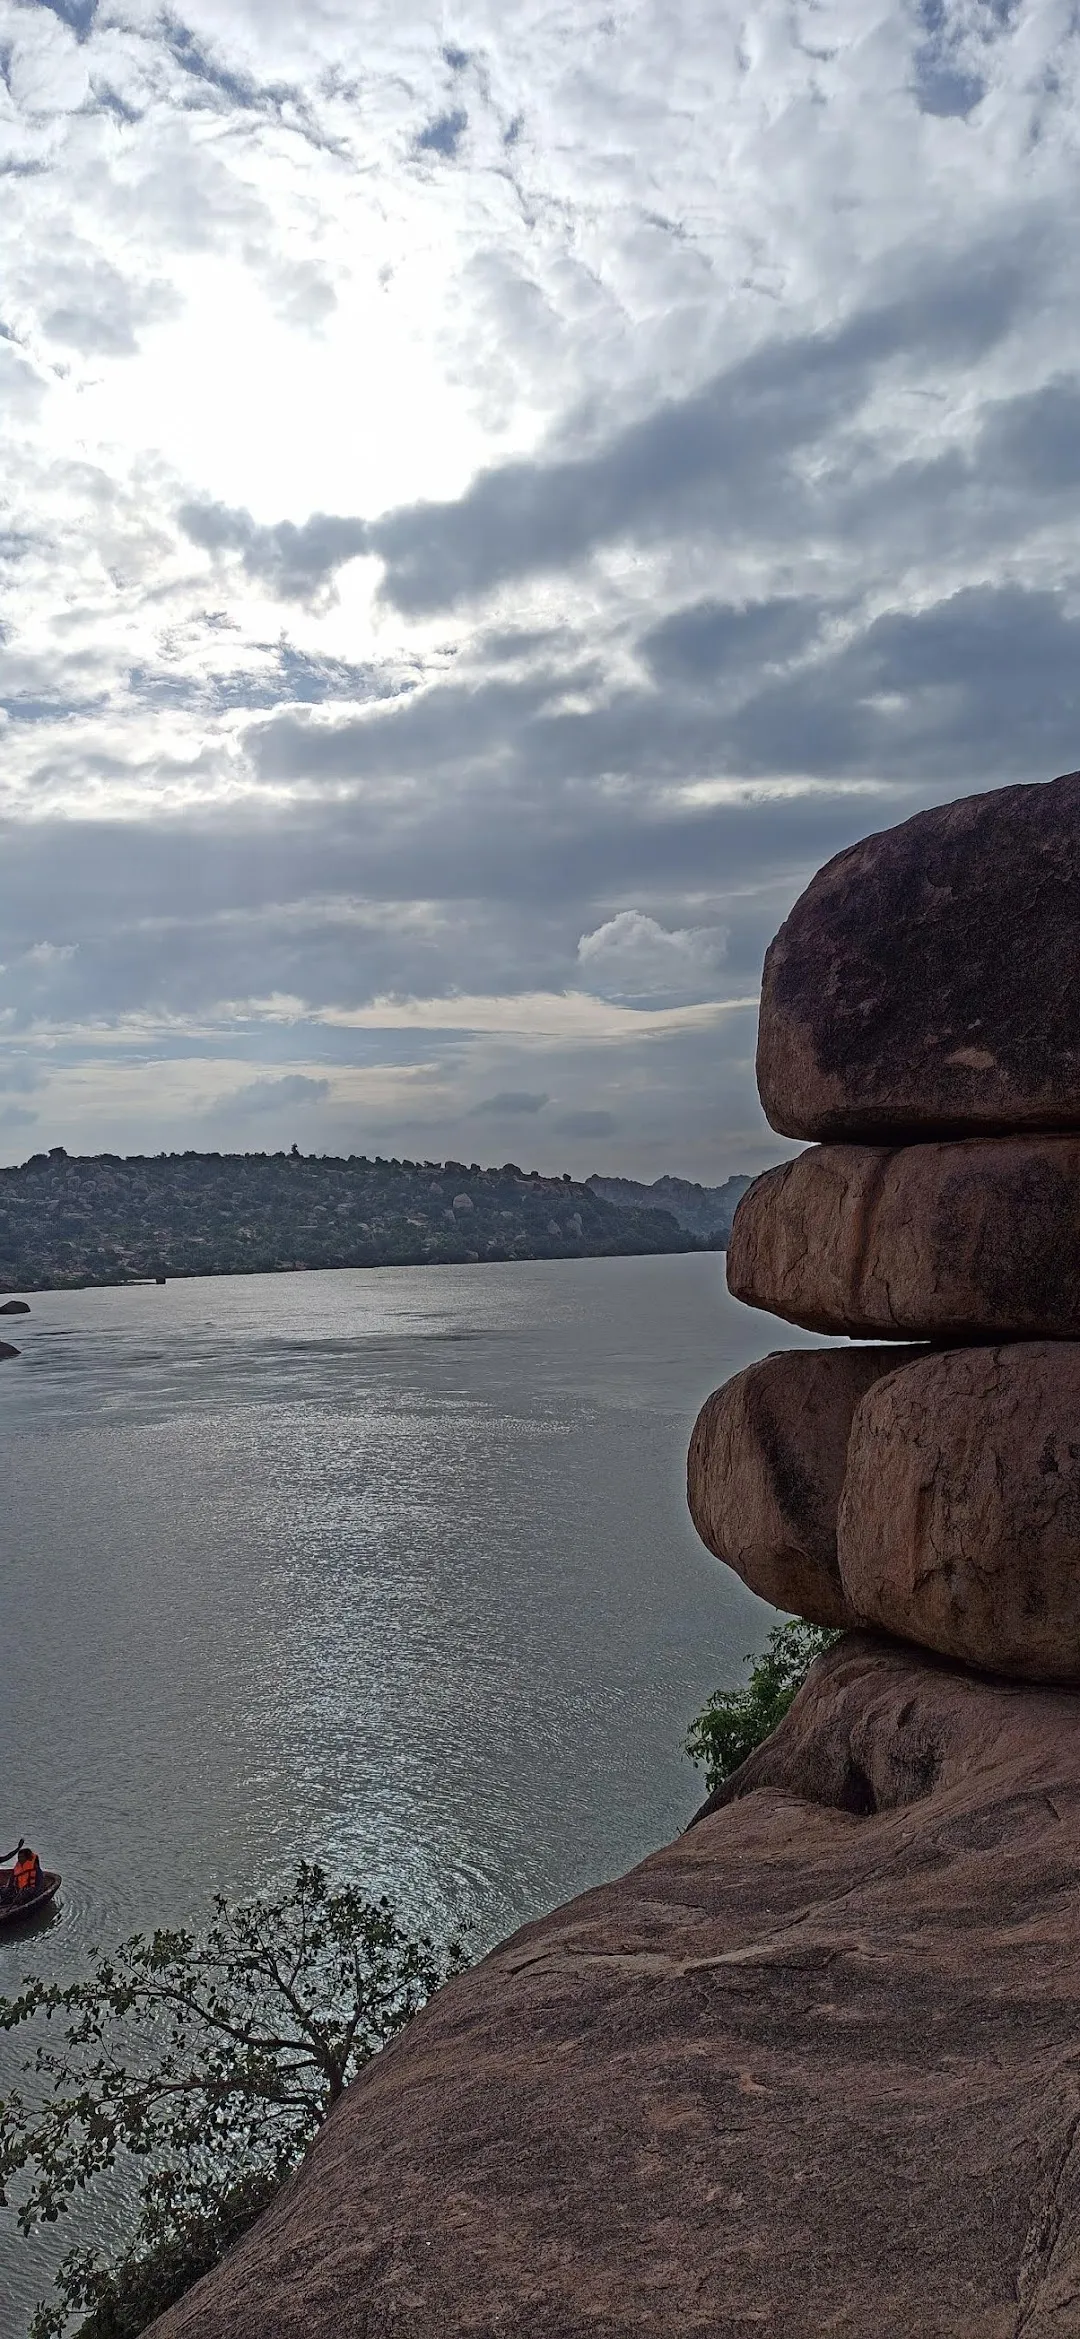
(960, 1522)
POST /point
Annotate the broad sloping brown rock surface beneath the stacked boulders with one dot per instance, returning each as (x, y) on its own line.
(805, 2071)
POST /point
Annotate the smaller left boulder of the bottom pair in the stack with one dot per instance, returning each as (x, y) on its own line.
(768, 1465)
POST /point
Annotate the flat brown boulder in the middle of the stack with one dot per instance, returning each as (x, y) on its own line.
(953, 1241)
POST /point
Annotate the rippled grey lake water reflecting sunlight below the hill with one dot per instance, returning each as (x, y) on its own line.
(392, 1568)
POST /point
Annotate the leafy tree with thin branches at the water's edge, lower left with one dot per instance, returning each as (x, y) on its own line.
(205, 2064)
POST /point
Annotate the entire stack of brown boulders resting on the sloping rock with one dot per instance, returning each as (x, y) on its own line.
(922, 1028)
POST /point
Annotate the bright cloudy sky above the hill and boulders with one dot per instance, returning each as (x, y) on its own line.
(490, 499)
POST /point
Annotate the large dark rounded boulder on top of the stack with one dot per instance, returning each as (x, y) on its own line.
(929, 979)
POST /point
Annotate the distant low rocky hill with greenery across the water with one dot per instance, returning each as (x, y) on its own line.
(102, 1220)
